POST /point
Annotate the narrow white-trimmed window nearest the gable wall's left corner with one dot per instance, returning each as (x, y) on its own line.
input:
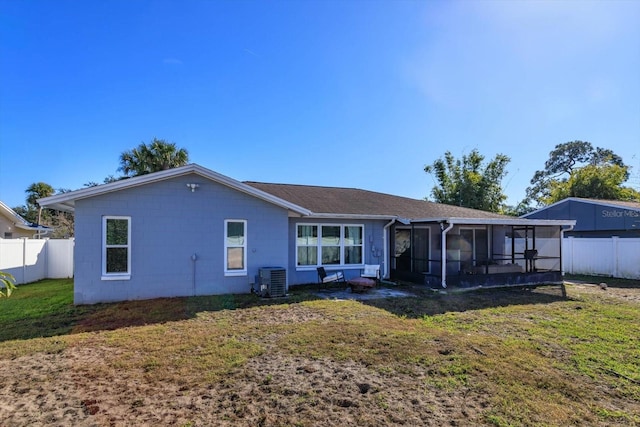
(116, 247)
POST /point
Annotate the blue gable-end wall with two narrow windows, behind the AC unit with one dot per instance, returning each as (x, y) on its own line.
(169, 224)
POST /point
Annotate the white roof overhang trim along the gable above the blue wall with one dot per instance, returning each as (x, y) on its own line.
(66, 201)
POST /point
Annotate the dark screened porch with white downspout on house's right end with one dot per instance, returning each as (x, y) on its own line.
(478, 253)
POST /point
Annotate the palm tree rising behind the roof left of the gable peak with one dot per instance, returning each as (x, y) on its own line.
(158, 155)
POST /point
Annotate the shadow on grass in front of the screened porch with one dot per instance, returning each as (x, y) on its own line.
(429, 303)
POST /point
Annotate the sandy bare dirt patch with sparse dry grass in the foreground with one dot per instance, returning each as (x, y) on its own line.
(272, 390)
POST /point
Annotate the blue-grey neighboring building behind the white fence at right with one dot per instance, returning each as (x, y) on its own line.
(594, 218)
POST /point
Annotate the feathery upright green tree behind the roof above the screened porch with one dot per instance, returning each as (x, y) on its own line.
(469, 181)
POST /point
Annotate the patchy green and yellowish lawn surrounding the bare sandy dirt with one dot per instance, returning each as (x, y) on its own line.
(533, 357)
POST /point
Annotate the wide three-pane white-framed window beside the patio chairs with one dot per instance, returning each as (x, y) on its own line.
(329, 244)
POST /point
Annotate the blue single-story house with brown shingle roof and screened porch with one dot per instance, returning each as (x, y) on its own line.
(191, 231)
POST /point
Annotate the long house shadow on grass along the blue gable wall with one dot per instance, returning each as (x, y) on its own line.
(63, 318)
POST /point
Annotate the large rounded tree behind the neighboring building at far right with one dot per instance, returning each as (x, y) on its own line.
(570, 170)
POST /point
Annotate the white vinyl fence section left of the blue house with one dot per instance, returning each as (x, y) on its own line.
(29, 260)
